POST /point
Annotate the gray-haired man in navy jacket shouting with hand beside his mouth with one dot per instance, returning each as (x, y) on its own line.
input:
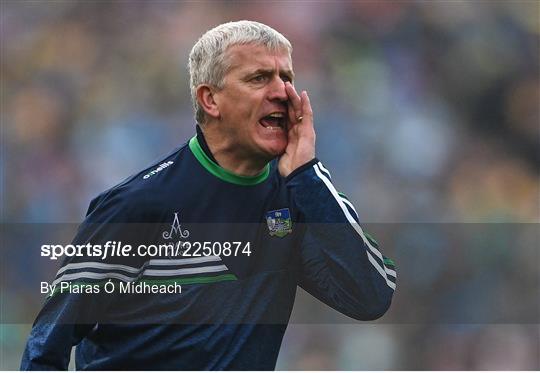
(248, 195)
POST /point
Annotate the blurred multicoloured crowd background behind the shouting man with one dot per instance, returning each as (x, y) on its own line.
(427, 114)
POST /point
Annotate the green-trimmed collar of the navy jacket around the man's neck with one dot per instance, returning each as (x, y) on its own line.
(222, 173)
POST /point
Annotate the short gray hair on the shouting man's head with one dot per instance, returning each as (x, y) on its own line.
(208, 61)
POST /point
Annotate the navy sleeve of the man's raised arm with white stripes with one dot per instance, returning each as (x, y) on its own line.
(339, 263)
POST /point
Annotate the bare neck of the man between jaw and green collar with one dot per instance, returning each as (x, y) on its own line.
(228, 155)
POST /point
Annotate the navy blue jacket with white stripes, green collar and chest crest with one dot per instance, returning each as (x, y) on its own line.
(235, 304)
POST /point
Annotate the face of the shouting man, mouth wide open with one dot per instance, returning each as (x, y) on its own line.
(253, 102)
